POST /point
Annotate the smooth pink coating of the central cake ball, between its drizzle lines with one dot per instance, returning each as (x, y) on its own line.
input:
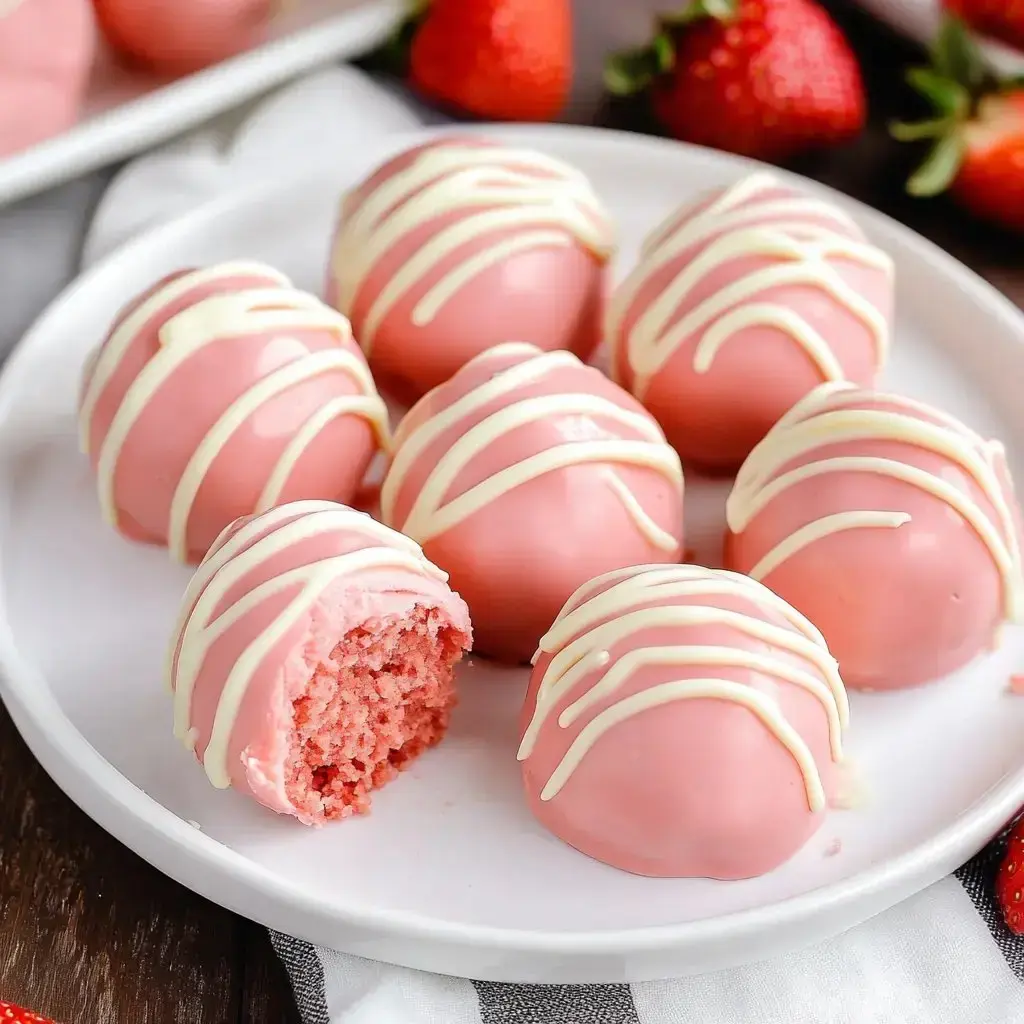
(517, 561)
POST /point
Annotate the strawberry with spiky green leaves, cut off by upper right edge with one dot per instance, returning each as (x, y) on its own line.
(977, 132)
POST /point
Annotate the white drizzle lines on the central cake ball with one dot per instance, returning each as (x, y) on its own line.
(432, 515)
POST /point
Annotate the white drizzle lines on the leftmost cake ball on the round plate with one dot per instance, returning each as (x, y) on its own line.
(275, 308)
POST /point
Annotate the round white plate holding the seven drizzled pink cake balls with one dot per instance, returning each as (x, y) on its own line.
(450, 873)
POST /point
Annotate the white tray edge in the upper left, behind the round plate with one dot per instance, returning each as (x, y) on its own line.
(127, 112)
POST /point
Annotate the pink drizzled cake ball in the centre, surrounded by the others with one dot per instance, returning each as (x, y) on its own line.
(526, 476)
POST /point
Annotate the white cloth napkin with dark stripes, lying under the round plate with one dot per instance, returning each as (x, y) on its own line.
(942, 958)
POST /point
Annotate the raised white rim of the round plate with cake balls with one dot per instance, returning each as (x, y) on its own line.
(119, 806)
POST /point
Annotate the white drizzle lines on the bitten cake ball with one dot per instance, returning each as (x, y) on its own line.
(203, 620)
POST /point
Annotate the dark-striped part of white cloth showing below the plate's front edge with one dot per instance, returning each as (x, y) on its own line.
(944, 957)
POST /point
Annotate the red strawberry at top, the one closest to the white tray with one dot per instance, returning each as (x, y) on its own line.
(500, 60)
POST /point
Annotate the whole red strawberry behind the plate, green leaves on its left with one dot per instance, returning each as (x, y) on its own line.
(762, 78)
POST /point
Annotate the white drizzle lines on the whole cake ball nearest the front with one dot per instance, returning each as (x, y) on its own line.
(588, 629)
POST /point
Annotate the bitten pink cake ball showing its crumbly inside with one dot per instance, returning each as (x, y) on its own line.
(313, 660)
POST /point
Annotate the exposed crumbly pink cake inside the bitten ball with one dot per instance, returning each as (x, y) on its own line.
(383, 697)
